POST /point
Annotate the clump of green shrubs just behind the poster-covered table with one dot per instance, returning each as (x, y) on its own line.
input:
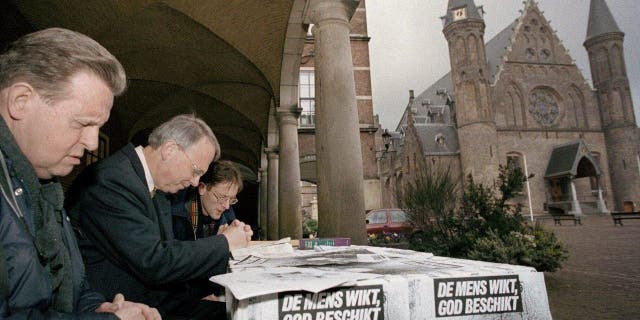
(484, 227)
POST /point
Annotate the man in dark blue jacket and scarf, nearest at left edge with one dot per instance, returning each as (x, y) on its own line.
(56, 90)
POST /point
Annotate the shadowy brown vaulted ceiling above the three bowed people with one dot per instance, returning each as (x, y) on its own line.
(219, 58)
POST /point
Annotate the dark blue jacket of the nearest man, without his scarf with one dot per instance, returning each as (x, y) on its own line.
(30, 287)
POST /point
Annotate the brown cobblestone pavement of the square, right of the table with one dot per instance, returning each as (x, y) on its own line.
(601, 278)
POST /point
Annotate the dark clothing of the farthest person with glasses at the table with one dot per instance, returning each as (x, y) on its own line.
(184, 205)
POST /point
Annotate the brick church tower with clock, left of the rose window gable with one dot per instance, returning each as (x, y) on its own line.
(464, 31)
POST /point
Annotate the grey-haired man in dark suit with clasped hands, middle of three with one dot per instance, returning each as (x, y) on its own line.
(124, 225)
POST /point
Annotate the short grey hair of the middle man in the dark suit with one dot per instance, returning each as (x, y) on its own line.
(185, 130)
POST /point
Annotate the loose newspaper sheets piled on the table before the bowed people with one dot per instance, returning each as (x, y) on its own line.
(254, 269)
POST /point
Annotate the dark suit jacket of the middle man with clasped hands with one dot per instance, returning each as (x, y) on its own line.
(126, 237)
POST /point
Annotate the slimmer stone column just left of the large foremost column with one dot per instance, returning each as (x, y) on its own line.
(289, 206)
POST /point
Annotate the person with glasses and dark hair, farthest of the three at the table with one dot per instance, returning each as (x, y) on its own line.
(205, 210)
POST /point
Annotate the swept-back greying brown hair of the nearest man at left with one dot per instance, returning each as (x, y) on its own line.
(46, 59)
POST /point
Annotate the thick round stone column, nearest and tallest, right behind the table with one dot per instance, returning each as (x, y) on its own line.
(341, 210)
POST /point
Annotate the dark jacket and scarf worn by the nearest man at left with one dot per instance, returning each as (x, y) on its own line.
(44, 267)
